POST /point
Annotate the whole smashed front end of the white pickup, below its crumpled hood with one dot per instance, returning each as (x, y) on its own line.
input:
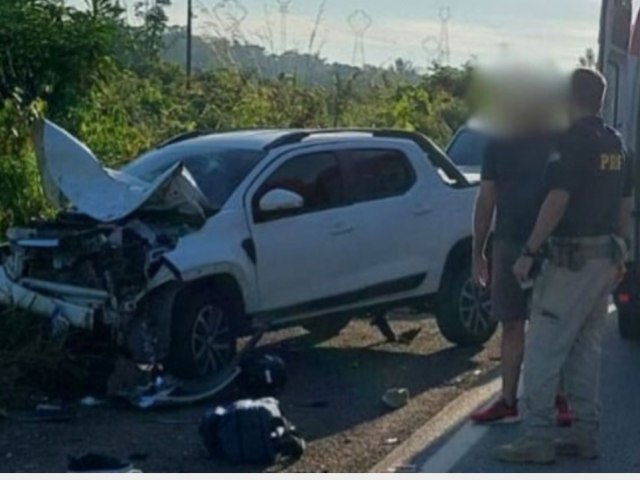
(105, 269)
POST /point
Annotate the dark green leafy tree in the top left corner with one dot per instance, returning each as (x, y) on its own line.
(53, 52)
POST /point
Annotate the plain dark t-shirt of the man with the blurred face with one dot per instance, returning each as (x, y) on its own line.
(517, 166)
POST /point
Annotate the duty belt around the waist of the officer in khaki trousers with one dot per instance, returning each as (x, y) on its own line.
(573, 253)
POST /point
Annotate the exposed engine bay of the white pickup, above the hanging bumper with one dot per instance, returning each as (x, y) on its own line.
(118, 259)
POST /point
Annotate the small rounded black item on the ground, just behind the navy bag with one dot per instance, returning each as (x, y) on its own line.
(262, 376)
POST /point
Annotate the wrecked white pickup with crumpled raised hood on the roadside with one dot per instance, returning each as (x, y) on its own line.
(198, 241)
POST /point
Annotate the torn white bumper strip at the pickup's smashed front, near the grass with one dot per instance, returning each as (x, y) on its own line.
(13, 294)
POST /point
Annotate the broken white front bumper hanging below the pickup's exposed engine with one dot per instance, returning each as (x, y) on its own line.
(75, 306)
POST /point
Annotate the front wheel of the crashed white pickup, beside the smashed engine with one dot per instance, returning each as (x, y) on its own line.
(202, 338)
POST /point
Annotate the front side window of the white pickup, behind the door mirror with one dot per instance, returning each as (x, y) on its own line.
(315, 177)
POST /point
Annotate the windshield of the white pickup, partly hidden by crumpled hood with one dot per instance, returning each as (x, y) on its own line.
(216, 170)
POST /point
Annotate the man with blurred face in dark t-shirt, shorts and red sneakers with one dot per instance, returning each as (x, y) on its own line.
(512, 187)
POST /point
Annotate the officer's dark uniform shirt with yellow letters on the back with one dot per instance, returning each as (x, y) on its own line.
(591, 166)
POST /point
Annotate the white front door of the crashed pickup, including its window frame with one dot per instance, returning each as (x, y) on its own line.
(288, 249)
